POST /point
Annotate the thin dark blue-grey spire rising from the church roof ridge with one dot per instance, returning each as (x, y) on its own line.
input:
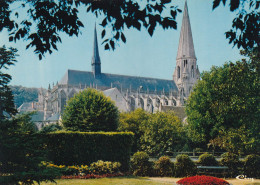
(96, 64)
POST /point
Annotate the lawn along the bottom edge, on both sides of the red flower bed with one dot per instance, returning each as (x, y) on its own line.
(138, 181)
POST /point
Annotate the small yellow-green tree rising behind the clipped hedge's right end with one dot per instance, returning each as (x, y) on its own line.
(132, 122)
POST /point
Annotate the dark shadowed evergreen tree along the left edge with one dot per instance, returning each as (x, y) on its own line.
(21, 150)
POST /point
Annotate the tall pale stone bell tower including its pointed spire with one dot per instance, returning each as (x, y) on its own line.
(186, 72)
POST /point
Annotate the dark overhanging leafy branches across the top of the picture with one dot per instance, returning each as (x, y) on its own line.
(43, 21)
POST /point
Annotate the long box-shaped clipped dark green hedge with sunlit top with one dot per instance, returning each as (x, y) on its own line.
(77, 148)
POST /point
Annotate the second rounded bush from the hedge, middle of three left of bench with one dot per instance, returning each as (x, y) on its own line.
(164, 167)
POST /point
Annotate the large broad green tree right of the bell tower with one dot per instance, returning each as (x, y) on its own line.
(226, 98)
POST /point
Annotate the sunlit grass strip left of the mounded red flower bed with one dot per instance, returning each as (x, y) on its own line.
(109, 181)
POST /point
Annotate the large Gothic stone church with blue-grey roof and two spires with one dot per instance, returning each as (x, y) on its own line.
(128, 92)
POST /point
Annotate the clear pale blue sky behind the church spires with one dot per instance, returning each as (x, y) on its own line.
(142, 55)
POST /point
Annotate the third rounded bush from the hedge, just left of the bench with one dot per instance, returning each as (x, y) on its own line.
(184, 166)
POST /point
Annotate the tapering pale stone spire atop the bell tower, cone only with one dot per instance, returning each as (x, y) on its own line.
(186, 47)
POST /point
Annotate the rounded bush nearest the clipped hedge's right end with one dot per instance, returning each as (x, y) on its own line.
(140, 164)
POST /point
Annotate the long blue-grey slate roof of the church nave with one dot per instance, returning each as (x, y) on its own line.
(105, 81)
